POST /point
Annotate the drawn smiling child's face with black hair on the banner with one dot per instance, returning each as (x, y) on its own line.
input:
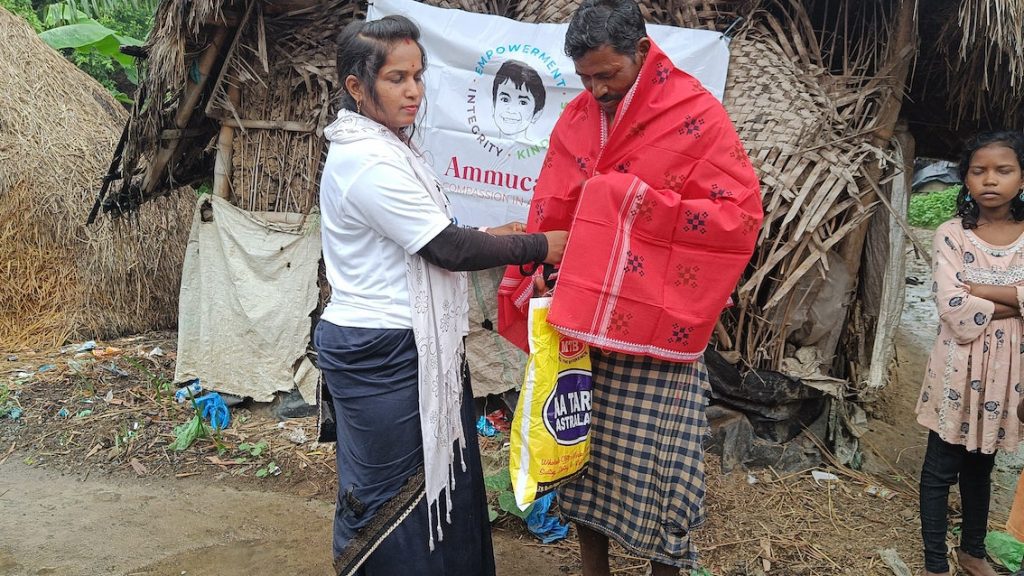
(519, 99)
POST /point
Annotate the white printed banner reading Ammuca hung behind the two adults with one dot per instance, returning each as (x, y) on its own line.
(495, 89)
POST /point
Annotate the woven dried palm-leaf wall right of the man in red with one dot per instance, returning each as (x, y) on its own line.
(798, 135)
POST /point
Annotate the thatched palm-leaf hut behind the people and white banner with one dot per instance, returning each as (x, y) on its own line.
(240, 90)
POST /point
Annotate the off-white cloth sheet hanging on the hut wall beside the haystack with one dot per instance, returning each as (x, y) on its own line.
(248, 287)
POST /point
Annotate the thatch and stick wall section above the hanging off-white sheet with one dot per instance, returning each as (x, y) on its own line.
(284, 71)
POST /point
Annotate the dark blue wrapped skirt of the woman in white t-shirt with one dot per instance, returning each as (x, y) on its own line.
(372, 378)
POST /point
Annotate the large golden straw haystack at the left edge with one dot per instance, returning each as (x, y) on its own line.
(63, 280)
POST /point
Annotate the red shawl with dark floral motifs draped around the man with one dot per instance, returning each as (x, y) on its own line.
(664, 211)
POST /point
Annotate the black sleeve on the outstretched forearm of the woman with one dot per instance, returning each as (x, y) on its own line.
(462, 250)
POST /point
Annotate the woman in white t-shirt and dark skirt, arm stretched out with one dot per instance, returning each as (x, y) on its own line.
(411, 497)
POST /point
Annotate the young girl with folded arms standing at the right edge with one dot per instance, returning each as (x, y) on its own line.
(974, 379)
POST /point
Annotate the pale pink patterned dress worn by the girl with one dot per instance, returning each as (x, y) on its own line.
(973, 382)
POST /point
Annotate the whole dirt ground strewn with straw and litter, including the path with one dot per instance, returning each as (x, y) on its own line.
(89, 485)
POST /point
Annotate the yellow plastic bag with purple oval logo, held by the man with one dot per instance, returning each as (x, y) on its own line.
(550, 442)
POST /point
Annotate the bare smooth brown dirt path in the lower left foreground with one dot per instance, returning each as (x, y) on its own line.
(74, 524)
